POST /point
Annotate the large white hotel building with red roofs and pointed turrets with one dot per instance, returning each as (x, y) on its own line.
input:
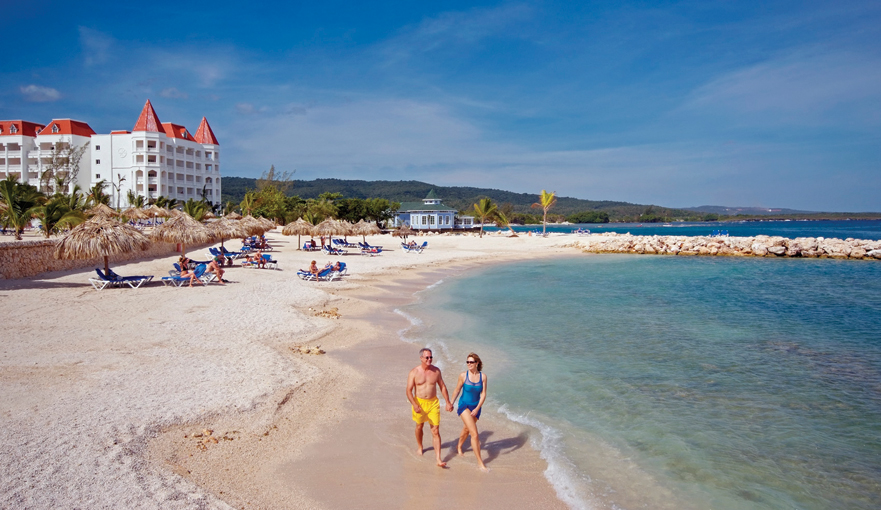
(152, 159)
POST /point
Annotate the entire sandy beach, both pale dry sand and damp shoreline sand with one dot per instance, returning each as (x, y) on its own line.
(165, 397)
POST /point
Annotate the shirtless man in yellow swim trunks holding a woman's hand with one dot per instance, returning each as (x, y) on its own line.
(422, 393)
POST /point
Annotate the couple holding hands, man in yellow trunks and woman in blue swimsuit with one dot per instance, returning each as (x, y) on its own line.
(422, 385)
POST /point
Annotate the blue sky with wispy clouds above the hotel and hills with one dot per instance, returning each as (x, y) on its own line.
(773, 104)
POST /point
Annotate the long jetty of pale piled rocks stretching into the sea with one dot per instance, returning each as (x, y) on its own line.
(758, 246)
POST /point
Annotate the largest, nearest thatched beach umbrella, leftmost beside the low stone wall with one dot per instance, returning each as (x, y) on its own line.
(100, 237)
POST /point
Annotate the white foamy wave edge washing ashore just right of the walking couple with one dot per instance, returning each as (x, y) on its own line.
(561, 472)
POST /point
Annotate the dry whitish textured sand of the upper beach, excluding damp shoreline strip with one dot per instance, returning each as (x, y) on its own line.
(90, 378)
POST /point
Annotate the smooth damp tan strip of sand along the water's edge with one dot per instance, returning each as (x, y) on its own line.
(348, 430)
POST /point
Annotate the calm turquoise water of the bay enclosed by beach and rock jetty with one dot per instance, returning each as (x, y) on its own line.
(678, 382)
